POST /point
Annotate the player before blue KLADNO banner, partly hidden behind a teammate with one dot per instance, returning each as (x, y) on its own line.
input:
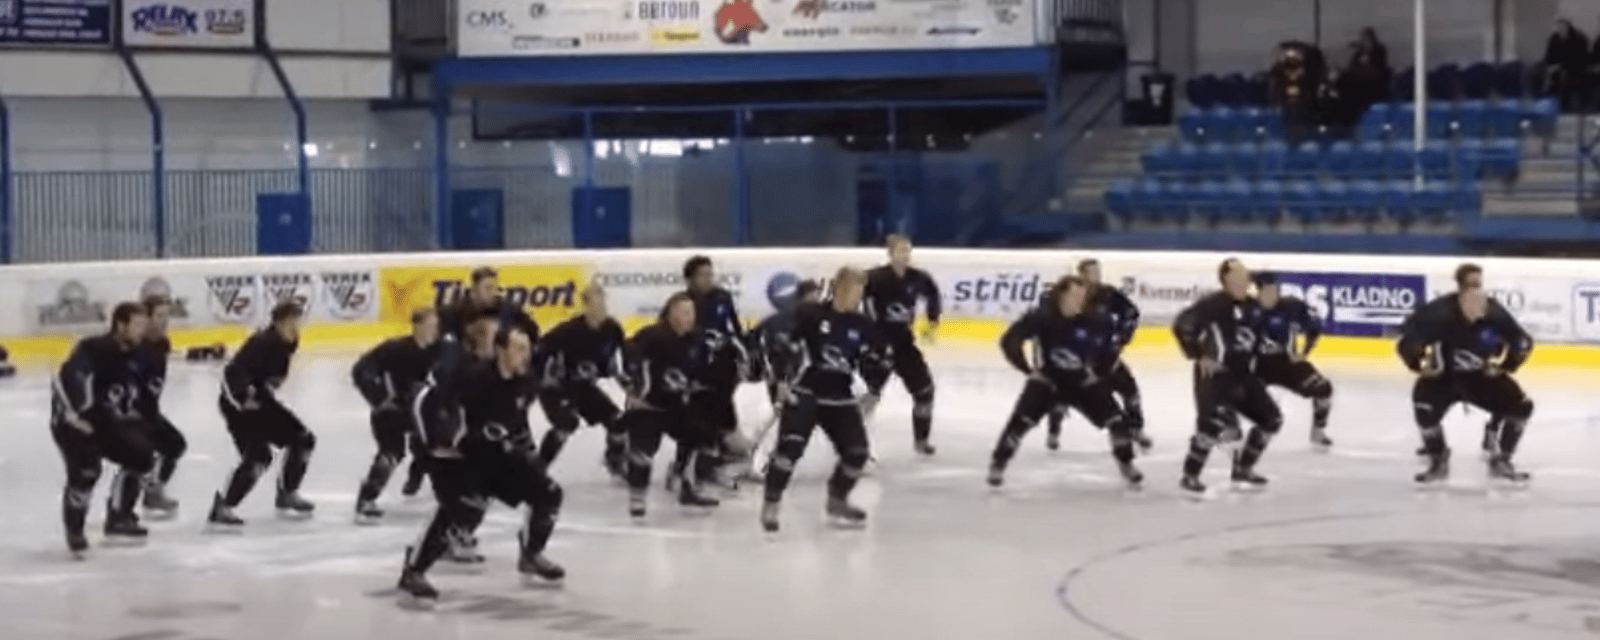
(1286, 335)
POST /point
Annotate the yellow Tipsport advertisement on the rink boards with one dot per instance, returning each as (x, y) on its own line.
(548, 292)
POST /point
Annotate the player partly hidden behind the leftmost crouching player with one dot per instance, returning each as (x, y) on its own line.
(170, 444)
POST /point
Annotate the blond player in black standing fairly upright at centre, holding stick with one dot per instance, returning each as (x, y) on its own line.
(836, 343)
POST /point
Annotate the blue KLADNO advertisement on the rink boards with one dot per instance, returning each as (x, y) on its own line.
(1358, 305)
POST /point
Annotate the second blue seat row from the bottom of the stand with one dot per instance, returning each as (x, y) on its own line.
(1370, 159)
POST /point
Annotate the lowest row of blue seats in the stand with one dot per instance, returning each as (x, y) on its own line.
(1305, 201)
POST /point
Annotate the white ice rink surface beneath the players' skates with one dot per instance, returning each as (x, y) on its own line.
(1340, 548)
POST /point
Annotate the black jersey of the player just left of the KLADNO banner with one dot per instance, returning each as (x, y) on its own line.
(1222, 329)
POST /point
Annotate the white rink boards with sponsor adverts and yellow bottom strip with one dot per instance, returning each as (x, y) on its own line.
(354, 300)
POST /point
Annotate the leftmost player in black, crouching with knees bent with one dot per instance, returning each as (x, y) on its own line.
(94, 418)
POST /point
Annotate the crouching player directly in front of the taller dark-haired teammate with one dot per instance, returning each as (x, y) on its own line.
(662, 367)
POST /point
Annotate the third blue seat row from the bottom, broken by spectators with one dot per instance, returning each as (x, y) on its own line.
(1446, 119)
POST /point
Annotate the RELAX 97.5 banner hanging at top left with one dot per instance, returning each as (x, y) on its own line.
(190, 23)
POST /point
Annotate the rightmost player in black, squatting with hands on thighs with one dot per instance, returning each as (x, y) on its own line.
(1465, 353)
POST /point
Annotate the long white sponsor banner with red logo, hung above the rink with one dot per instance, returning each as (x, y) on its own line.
(577, 28)
